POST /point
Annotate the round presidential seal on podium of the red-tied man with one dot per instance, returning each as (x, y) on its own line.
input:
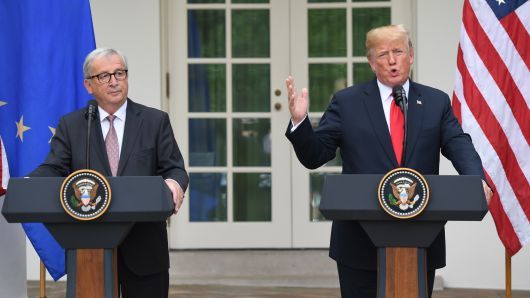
(403, 193)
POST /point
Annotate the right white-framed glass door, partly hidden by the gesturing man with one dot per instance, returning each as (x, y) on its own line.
(328, 54)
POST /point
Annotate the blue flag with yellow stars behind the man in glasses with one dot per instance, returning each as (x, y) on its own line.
(42, 48)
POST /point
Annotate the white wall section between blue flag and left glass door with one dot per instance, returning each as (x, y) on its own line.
(133, 27)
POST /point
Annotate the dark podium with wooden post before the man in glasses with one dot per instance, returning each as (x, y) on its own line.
(91, 259)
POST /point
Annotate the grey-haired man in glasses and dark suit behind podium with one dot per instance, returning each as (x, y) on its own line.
(128, 139)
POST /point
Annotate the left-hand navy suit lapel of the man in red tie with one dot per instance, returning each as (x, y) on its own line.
(374, 110)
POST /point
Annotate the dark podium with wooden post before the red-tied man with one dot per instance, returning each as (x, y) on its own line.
(402, 256)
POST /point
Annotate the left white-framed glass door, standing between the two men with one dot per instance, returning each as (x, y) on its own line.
(227, 70)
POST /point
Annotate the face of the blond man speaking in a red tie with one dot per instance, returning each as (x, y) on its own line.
(391, 62)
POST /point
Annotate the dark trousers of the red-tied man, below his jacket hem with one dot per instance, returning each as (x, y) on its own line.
(358, 283)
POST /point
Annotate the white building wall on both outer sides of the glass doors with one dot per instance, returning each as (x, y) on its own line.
(475, 256)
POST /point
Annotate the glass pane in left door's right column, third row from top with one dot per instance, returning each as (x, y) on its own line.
(252, 142)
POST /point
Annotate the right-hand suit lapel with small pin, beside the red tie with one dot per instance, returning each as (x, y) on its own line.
(415, 119)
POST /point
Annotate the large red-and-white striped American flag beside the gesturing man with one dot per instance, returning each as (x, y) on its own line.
(492, 100)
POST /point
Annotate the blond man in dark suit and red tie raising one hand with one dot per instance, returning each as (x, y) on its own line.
(358, 121)
